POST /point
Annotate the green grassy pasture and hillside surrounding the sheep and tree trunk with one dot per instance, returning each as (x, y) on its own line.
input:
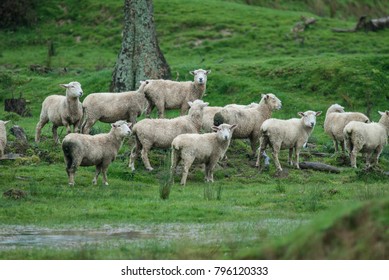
(251, 51)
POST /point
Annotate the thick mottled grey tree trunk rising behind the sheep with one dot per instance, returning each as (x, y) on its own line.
(140, 57)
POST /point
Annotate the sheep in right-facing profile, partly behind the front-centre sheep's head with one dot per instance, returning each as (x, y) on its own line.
(249, 120)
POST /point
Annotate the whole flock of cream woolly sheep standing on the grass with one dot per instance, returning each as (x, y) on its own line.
(201, 135)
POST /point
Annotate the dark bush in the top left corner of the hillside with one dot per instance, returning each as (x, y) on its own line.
(15, 13)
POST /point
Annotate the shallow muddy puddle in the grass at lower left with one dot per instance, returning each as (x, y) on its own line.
(61, 238)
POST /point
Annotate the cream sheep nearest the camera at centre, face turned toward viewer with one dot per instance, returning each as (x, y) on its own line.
(205, 148)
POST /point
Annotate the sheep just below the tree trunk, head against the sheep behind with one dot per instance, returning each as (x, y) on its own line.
(111, 107)
